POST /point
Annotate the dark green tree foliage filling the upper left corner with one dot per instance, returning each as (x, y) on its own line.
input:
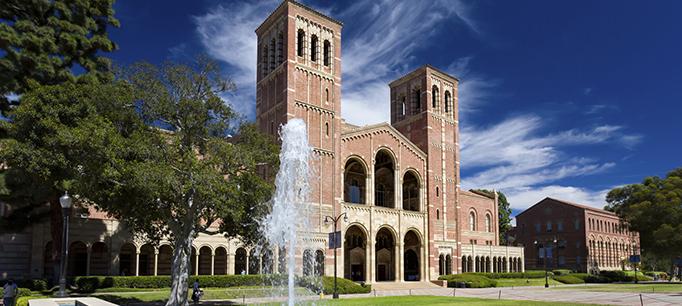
(43, 41)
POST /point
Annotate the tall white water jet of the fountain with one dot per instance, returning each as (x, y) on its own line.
(289, 212)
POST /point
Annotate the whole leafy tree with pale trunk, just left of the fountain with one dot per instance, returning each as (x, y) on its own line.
(184, 179)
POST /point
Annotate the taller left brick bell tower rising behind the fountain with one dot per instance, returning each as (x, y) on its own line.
(299, 76)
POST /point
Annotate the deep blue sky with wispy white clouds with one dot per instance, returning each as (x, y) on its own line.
(557, 98)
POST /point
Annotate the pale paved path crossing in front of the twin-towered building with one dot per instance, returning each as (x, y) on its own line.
(519, 293)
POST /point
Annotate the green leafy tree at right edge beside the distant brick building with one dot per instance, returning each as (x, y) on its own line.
(654, 209)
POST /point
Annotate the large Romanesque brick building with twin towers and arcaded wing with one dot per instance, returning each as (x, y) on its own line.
(398, 182)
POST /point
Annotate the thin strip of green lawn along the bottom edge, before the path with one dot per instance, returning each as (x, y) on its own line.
(429, 300)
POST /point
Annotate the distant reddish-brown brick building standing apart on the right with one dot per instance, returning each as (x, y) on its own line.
(587, 238)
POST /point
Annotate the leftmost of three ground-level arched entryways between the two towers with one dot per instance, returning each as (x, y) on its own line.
(354, 254)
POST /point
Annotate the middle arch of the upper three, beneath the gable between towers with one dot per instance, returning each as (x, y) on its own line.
(384, 181)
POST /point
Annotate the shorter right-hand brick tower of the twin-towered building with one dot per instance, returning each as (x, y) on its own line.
(424, 109)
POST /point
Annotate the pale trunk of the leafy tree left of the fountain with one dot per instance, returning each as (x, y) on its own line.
(180, 268)
